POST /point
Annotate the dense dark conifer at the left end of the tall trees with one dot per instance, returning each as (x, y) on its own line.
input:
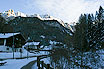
(80, 38)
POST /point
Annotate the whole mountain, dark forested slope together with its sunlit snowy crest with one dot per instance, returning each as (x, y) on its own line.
(35, 26)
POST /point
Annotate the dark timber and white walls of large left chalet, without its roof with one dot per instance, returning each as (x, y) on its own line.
(7, 43)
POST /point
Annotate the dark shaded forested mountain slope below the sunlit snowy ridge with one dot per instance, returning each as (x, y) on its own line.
(40, 30)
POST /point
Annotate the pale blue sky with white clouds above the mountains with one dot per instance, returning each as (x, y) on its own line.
(66, 10)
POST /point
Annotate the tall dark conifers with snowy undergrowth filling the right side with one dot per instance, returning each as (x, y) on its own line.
(86, 45)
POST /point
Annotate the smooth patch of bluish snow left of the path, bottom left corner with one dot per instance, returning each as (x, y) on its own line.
(16, 64)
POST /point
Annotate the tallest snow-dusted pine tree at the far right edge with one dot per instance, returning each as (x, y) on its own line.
(100, 26)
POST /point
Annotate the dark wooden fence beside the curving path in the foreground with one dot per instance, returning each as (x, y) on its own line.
(47, 66)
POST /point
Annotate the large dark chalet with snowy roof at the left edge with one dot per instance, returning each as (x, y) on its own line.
(7, 40)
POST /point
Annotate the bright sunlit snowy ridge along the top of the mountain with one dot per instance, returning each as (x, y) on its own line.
(10, 15)
